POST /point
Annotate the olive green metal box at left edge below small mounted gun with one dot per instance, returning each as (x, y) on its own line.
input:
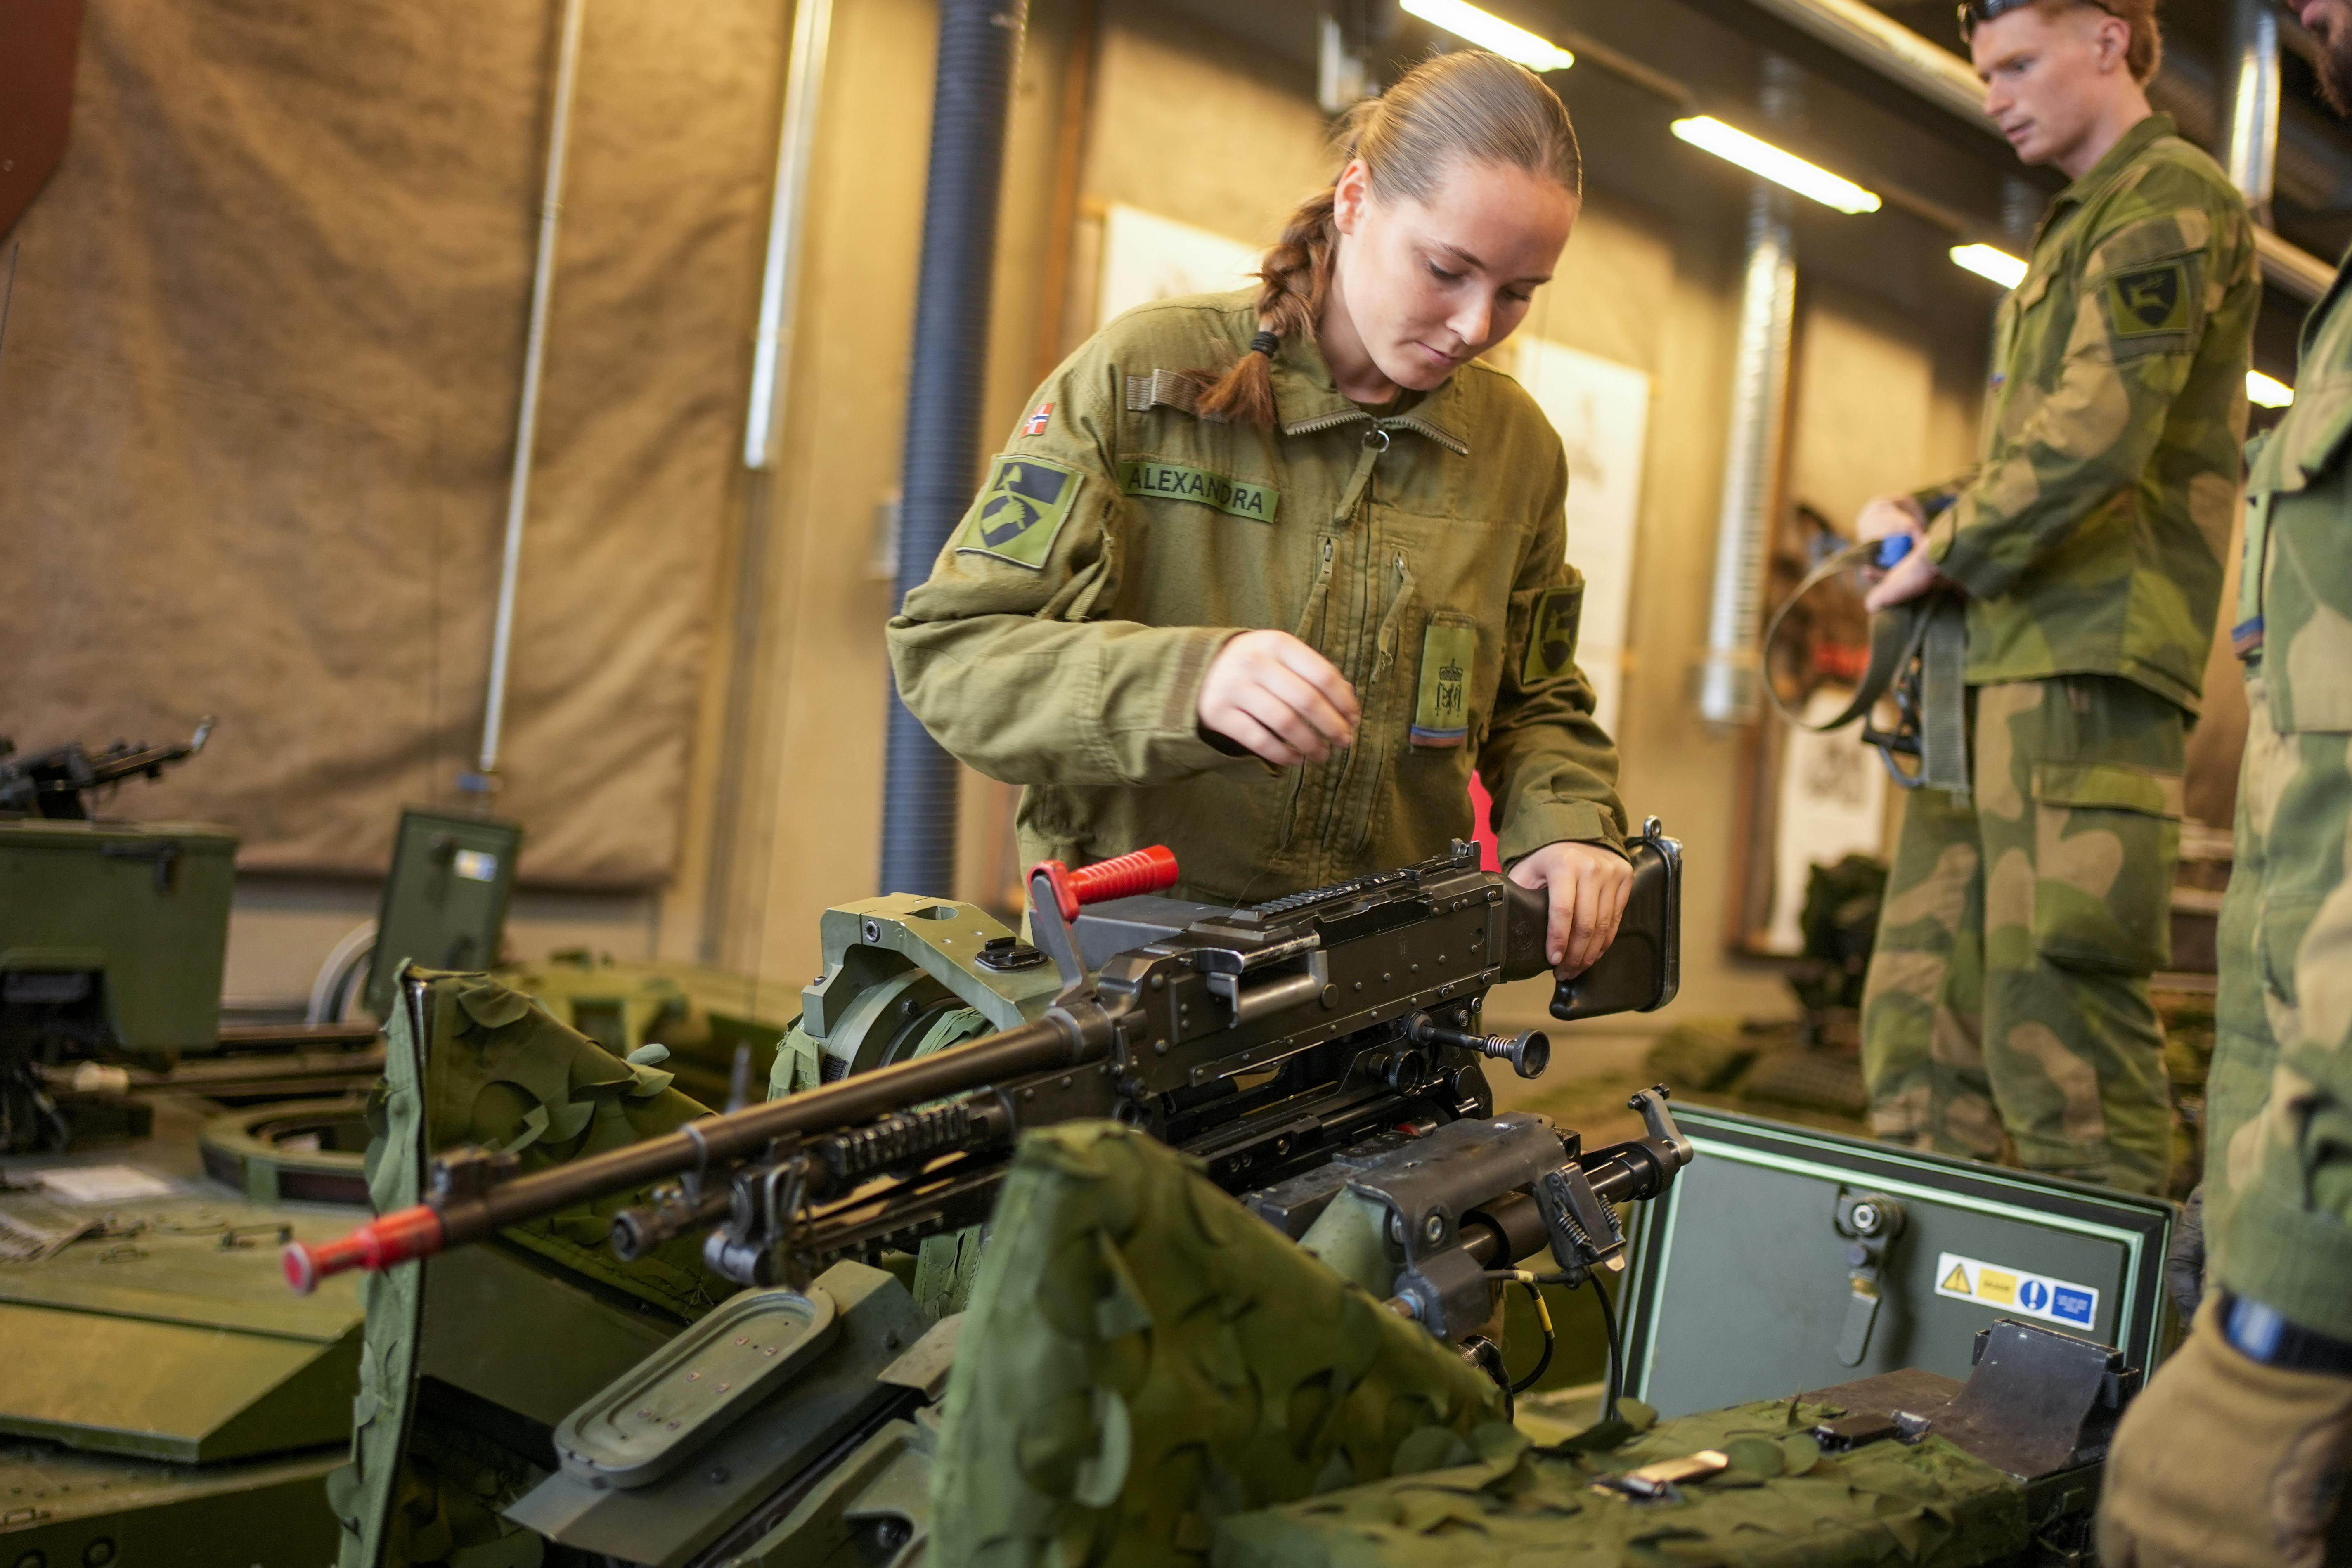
(114, 934)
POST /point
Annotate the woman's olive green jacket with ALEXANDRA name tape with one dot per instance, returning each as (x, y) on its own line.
(1121, 542)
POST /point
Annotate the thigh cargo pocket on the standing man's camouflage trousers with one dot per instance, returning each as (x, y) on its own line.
(2106, 843)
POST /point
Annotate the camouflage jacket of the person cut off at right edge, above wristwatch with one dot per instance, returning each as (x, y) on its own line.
(2280, 1134)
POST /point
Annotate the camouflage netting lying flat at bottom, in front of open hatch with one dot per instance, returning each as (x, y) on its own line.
(1779, 1503)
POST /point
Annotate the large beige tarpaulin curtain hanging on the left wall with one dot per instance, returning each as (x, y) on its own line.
(258, 413)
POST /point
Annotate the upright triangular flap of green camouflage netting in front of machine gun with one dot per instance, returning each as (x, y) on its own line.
(1116, 1400)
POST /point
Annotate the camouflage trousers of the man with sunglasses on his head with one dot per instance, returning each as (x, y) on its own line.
(2007, 1007)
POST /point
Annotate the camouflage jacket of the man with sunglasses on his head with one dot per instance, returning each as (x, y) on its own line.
(2092, 530)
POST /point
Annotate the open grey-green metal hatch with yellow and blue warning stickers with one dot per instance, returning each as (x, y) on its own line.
(1746, 1280)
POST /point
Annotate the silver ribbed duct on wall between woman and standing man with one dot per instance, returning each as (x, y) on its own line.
(1728, 681)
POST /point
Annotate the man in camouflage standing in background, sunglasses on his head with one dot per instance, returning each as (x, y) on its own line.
(2007, 1000)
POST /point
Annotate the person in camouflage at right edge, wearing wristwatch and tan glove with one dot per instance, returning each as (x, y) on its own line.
(2238, 1452)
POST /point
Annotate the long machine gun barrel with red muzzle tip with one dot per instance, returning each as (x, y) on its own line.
(476, 1212)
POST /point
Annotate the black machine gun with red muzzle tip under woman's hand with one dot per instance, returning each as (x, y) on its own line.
(1267, 1043)
